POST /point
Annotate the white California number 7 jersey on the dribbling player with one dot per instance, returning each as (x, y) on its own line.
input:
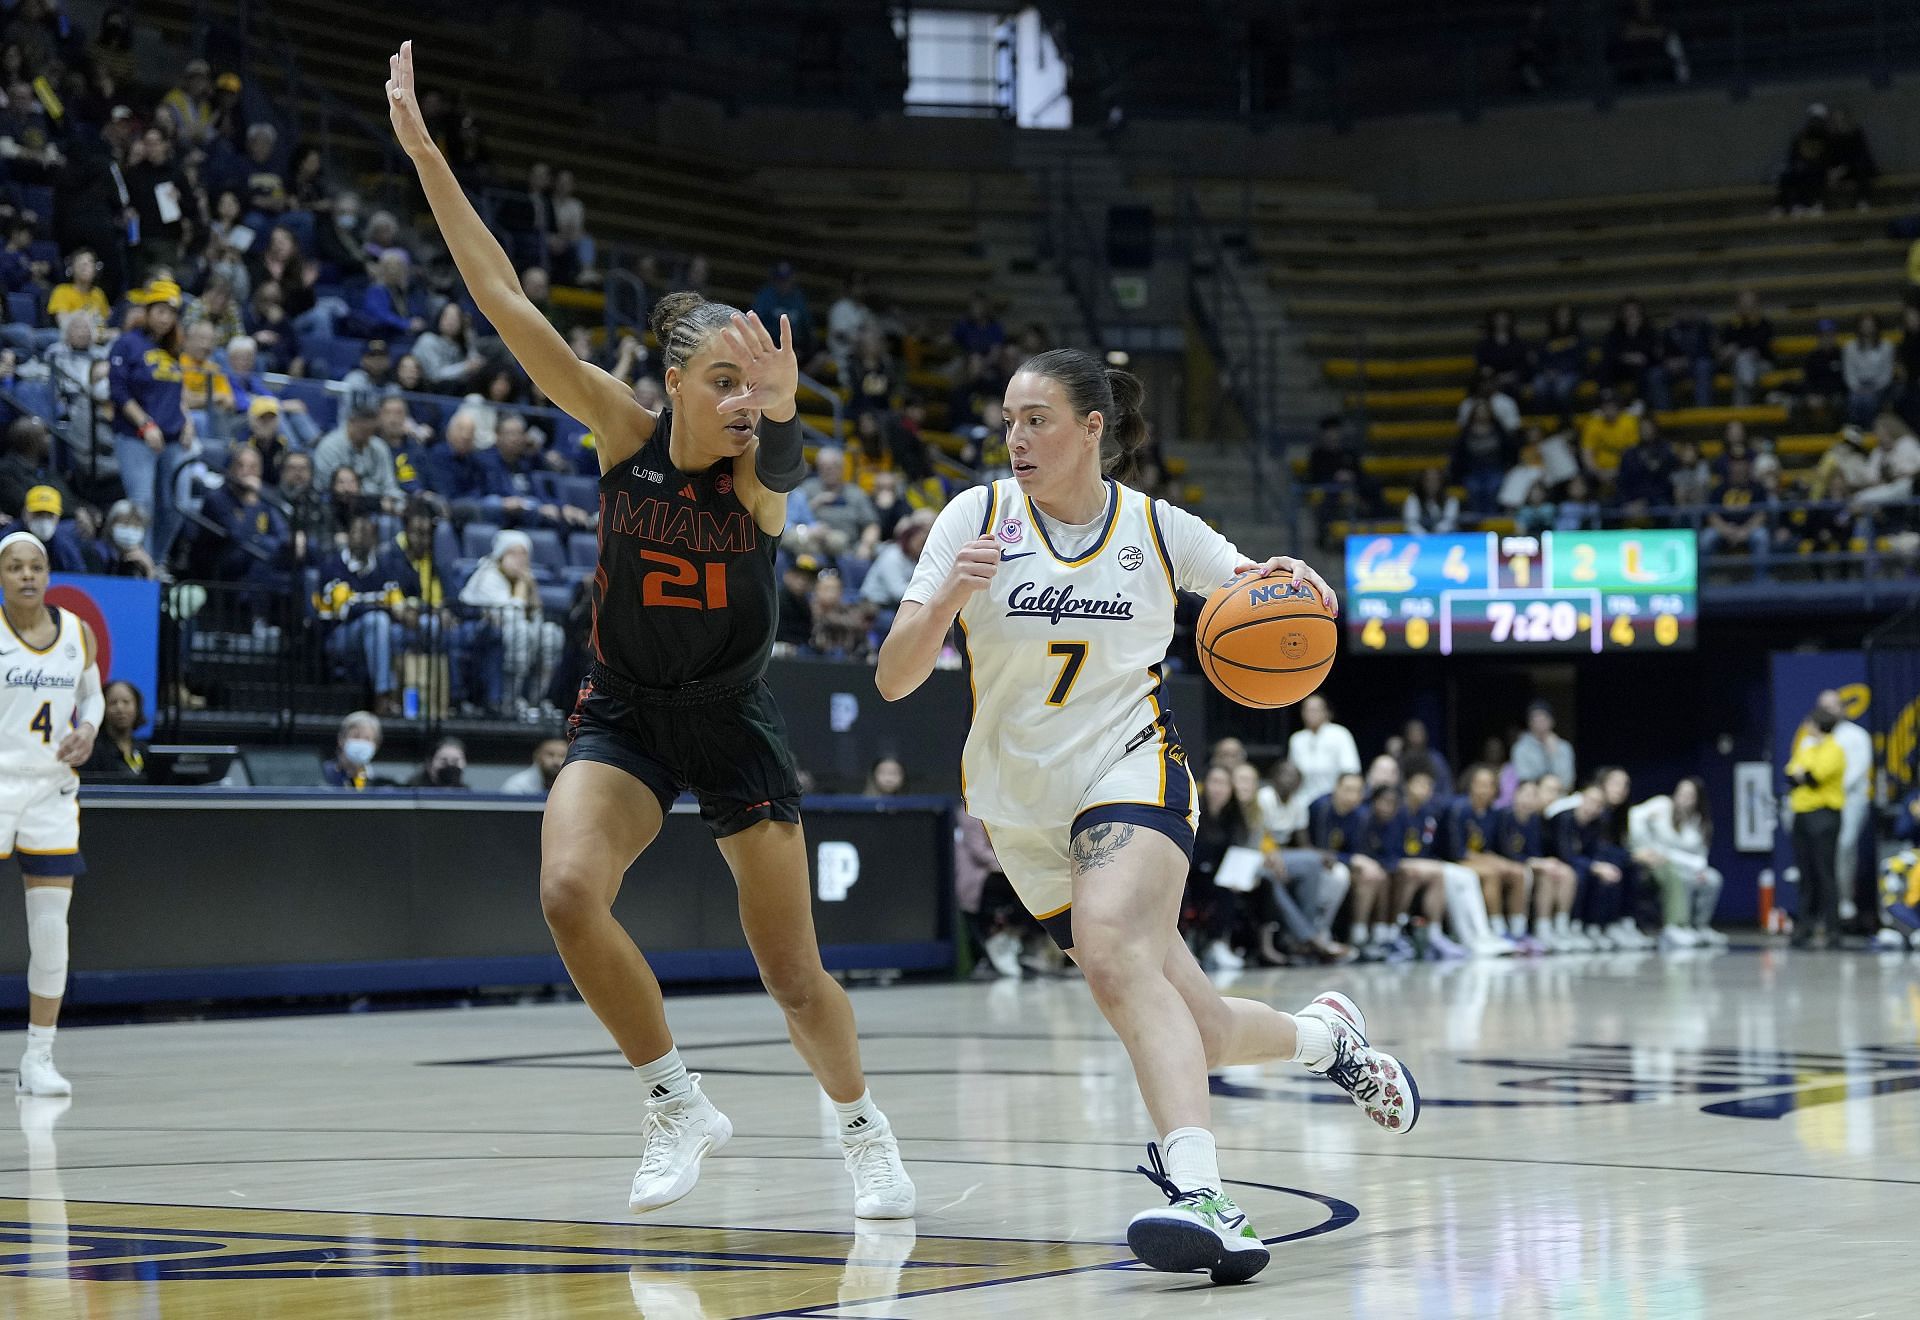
(1065, 657)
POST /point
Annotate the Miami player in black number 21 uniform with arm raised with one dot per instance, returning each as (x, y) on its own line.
(692, 509)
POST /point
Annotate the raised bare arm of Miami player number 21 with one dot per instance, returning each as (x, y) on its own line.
(587, 392)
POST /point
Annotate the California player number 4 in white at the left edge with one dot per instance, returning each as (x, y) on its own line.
(51, 707)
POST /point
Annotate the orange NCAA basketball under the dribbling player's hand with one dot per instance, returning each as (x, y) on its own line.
(1266, 642)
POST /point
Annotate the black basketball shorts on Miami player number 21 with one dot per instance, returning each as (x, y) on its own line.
(725, 745)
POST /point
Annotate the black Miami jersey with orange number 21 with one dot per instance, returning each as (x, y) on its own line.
(684, 592)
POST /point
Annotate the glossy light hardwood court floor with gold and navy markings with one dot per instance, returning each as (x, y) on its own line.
(1606, 1137)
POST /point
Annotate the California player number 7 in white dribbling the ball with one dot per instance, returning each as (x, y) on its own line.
(1063, 584)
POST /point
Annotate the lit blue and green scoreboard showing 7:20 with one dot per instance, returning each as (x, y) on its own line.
(1487, 592)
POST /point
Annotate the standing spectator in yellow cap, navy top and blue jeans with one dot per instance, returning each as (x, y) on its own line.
(151, 425)
